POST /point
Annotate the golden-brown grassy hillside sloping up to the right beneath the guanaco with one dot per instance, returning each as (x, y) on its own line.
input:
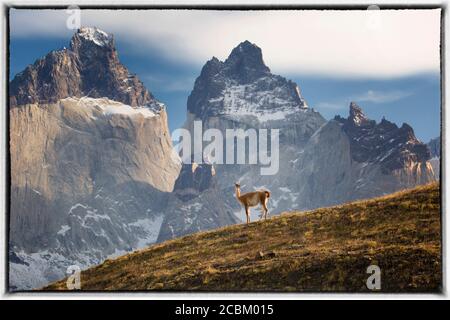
(328, 249)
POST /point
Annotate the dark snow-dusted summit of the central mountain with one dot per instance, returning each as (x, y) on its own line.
(244, 86)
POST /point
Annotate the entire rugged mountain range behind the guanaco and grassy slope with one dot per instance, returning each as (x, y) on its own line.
(94, 173)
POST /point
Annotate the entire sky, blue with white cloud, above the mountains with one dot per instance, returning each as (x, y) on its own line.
(382, 83)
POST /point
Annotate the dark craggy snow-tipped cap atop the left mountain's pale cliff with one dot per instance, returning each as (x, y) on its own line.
(90, 67)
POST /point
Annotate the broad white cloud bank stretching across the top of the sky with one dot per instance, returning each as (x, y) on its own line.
(386, 43)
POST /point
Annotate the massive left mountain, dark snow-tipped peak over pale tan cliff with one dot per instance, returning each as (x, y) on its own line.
(91, 161)
